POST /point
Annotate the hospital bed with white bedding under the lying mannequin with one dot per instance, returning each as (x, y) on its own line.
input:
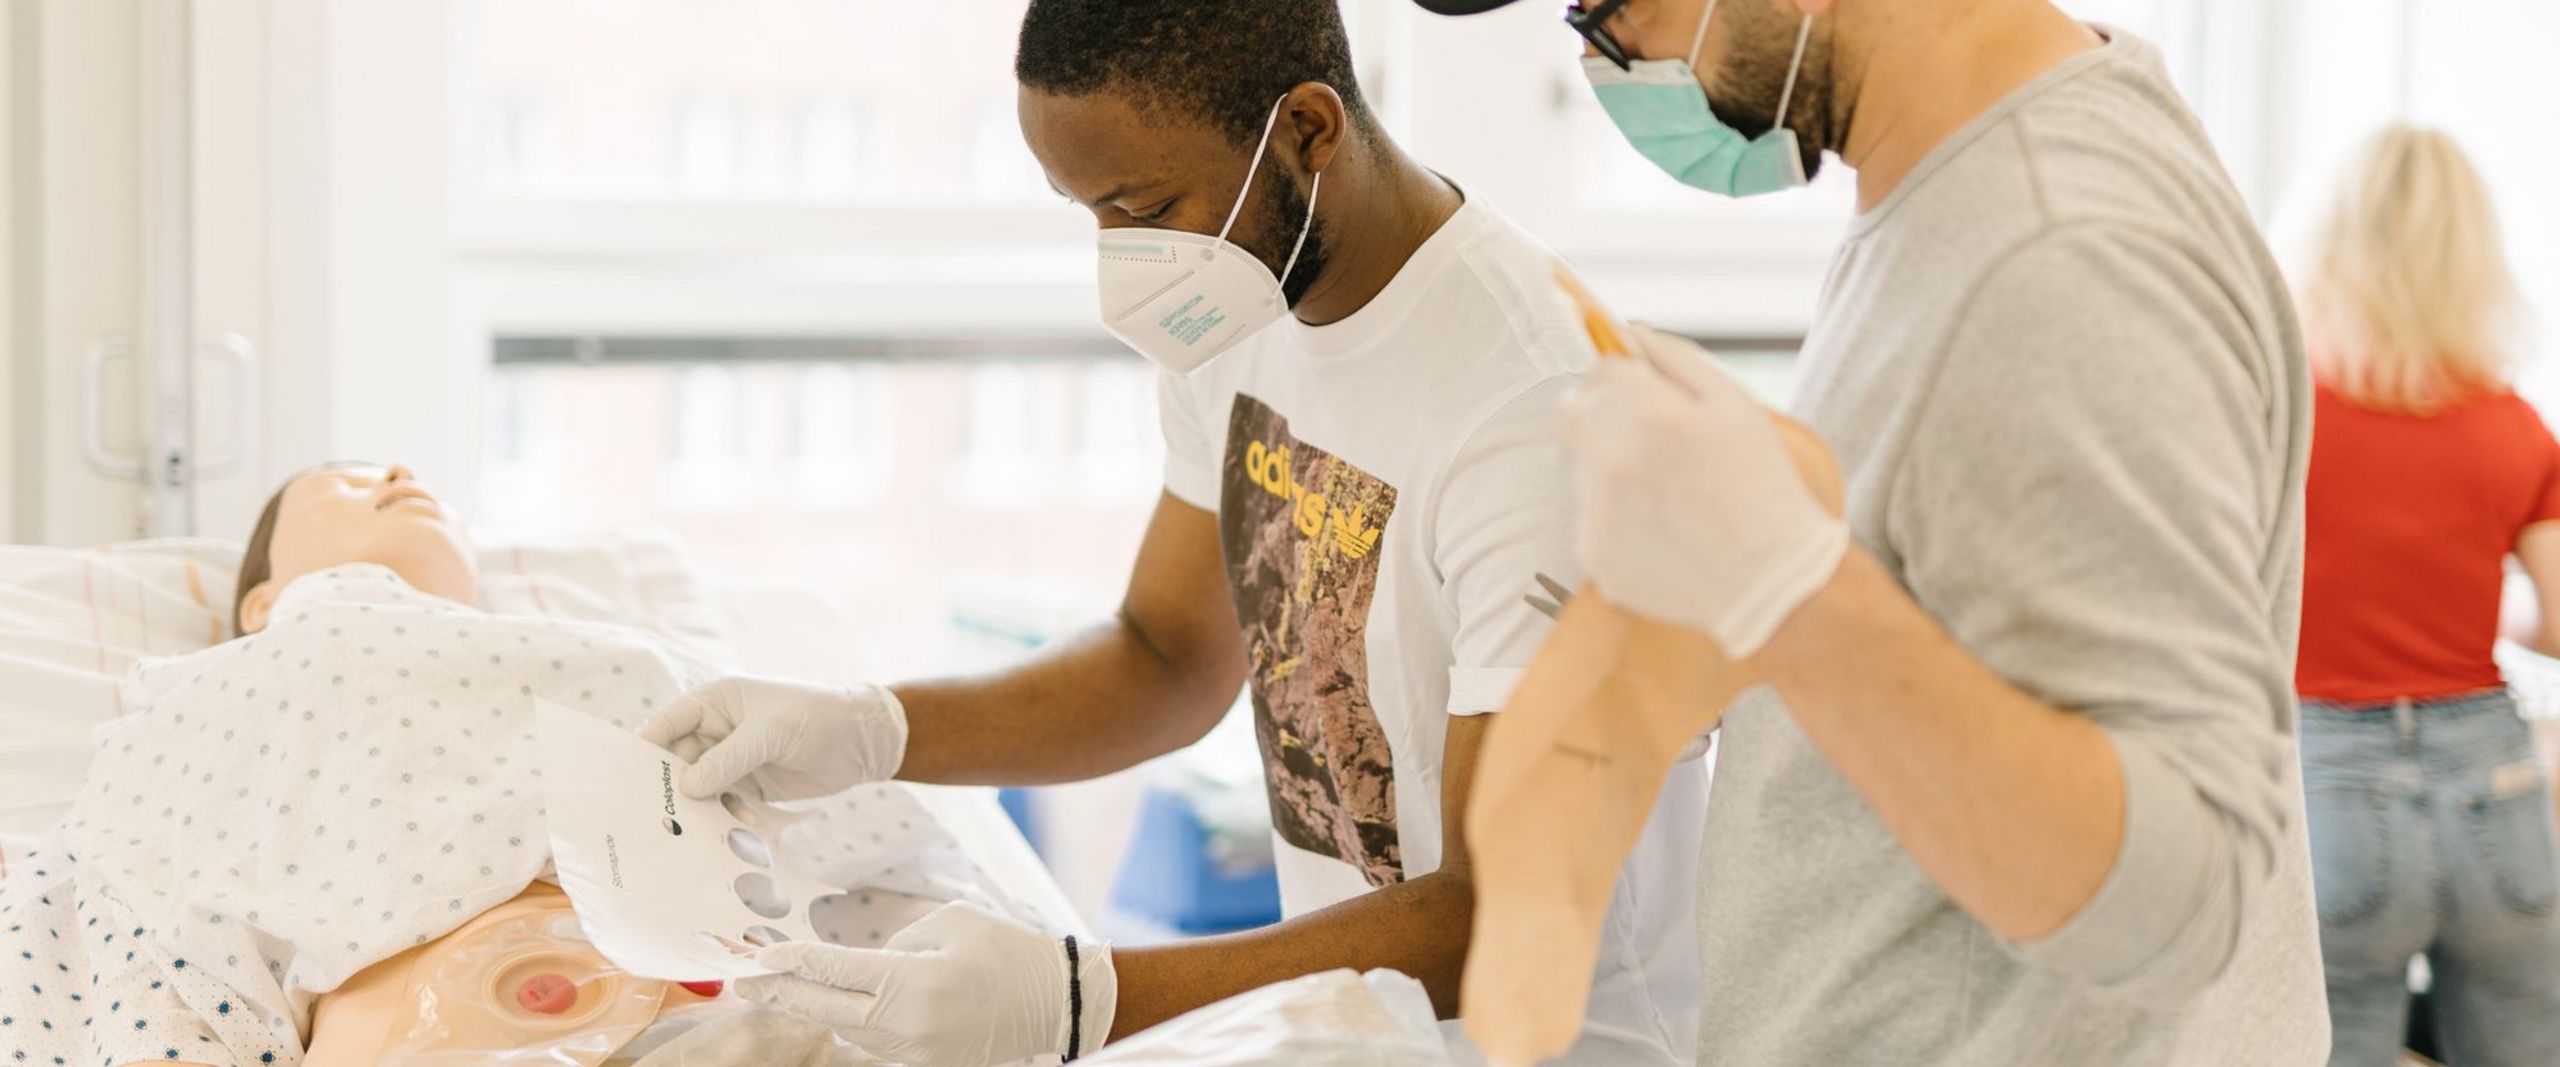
(73, 623)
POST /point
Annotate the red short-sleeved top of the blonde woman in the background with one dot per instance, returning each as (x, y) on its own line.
(2410, 528)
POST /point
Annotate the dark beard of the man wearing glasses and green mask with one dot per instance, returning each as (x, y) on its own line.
(1747, 88)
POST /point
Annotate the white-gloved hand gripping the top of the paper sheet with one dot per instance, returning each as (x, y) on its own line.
(790, 741)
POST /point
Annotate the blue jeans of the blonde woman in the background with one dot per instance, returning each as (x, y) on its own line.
(2433, 835)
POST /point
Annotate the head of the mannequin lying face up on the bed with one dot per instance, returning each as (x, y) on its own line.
(355, 513)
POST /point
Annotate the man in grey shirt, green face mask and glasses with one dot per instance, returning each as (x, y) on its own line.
(2024, 787)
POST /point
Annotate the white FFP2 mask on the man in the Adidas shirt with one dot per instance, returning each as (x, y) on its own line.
(1184, 298)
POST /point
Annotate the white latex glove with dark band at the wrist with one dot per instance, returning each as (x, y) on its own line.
(959, 989)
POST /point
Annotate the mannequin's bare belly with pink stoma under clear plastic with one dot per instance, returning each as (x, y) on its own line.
(516, 986)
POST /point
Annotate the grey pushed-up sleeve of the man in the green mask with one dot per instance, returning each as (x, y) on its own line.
(2098, 505)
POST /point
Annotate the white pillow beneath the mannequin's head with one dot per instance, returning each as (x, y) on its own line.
(76, 620)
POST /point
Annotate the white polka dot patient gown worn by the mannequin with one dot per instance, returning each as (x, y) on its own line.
(288, 810)
